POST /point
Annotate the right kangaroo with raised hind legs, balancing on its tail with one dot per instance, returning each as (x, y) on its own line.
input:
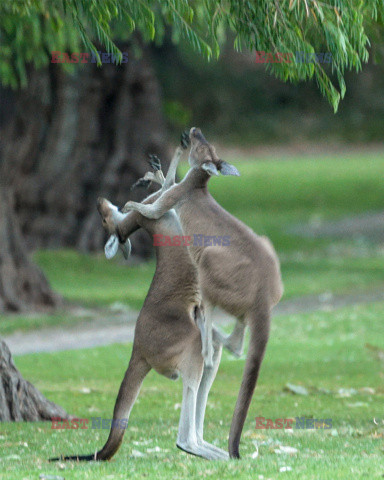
(243, 279)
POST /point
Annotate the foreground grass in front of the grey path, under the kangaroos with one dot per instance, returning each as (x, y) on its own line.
(323, 351)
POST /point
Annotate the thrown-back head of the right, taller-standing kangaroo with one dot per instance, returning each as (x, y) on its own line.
(203, 155)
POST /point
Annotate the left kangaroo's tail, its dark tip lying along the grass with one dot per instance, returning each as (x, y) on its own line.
(129, 390)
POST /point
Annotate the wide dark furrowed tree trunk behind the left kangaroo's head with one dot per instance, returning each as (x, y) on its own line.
(75, 137)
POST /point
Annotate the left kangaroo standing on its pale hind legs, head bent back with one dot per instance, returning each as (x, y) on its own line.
(167, 338)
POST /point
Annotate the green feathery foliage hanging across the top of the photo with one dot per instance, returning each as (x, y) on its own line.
(30, 29)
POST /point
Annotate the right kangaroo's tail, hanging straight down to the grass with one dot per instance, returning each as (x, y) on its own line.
(258, 321)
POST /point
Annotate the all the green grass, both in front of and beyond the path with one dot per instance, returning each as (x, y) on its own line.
(324, 352)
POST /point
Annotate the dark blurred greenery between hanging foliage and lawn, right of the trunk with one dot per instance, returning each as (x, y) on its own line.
(240, 103)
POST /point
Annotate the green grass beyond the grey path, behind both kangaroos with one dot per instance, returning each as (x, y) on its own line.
(270, 196)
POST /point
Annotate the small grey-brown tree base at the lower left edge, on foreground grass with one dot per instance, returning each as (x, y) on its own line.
(19, 399)
